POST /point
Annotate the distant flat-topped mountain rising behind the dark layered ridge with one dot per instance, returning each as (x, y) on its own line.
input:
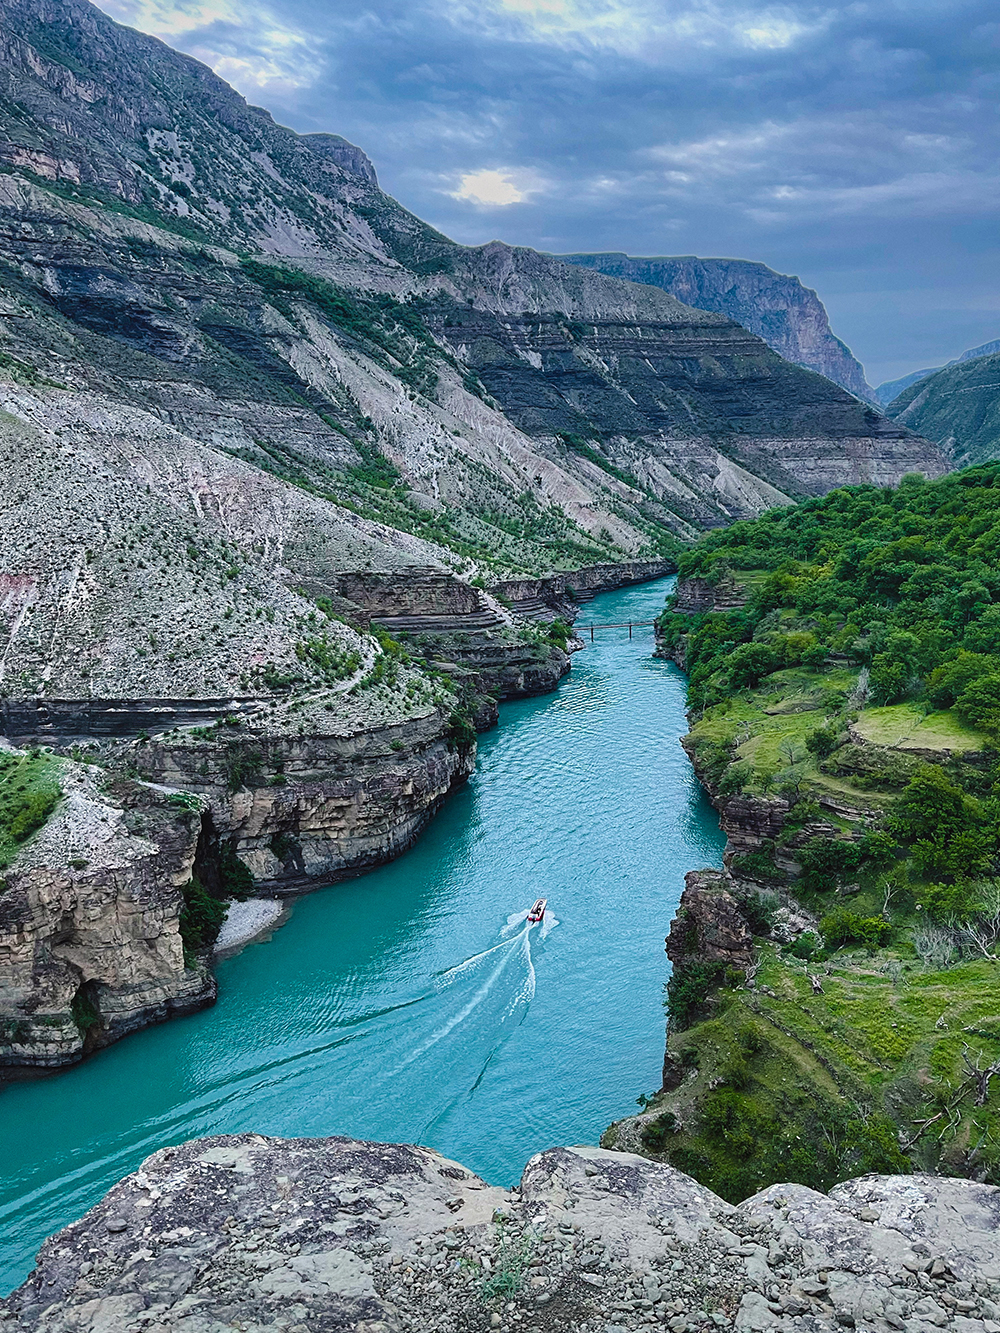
(789, 317)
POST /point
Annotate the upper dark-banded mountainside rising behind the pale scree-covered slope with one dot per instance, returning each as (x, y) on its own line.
(138, 178)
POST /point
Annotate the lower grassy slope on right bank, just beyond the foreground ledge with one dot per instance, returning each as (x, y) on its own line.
(838, 1080)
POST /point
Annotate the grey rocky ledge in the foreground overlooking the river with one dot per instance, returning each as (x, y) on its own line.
(329, 1235)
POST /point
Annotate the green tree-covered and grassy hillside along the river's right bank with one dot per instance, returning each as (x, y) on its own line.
(846, 718)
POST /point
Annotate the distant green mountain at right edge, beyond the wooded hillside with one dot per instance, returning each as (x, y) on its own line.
(958, 407)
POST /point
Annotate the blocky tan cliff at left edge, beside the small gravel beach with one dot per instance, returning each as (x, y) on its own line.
(90, 923)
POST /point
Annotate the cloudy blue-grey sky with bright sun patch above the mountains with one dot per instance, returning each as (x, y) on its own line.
(854, 145)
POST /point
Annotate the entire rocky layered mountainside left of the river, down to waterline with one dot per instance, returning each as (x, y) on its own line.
(267, 442)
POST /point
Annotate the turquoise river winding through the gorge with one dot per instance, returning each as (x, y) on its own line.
(414, 1004)
